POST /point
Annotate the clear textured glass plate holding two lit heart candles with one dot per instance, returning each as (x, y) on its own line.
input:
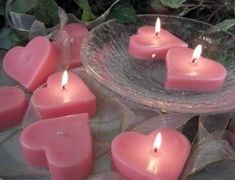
(104, 55)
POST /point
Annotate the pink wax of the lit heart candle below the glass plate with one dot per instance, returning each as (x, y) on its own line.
(134, 156)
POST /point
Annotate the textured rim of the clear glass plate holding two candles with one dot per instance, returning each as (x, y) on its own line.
(153, 104)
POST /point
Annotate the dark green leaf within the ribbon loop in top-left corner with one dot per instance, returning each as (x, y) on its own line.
(23, 6)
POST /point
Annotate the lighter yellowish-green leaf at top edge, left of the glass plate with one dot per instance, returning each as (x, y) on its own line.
(87, 14)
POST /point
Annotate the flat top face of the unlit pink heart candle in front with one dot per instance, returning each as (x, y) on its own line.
(64, 139)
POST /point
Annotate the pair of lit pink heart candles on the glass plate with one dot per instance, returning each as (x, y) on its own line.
(186, 68)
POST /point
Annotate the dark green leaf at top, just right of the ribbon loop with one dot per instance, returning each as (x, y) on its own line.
(47, 11)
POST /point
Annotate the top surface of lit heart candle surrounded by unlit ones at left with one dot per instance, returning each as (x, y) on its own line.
(55, 94)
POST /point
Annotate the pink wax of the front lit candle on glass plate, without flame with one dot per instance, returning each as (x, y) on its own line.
(202, 75)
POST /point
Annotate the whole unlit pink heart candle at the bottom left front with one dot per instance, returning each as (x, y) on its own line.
(63, 145)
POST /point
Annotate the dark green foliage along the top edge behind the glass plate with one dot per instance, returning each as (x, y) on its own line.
(218, 12)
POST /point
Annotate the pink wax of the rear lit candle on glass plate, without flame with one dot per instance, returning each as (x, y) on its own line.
(147, 45)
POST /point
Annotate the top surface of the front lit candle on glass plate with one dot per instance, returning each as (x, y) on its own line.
(180, 62)
